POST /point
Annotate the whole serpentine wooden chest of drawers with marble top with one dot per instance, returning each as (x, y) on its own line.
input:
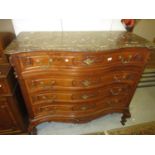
(77, 76)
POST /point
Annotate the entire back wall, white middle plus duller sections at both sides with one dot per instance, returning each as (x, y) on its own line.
(144, 27)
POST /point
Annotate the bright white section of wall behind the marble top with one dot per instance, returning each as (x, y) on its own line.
(66, 25)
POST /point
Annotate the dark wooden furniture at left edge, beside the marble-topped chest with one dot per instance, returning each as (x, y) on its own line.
(12, 109)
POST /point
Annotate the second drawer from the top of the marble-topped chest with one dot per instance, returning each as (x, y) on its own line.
(81, 82)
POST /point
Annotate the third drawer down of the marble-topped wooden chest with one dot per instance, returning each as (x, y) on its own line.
(80, 96)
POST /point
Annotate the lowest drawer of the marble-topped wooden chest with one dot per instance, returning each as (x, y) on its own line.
(80, 108)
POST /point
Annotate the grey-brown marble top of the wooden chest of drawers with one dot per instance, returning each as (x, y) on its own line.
(75, 41)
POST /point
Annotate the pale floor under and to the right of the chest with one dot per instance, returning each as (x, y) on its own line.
(142, 109)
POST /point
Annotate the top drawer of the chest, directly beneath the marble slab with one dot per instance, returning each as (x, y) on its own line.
(52, 60)
